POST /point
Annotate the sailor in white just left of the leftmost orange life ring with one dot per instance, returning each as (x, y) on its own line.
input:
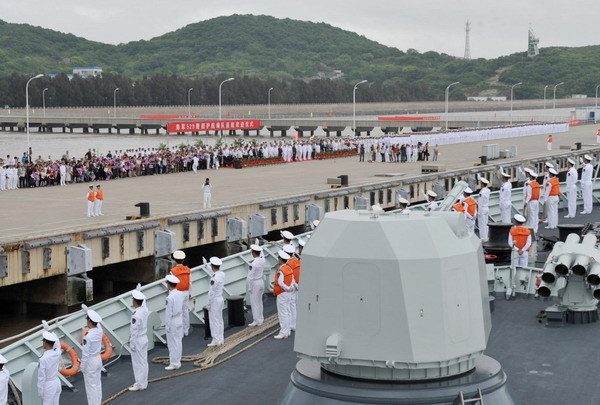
(49, 386)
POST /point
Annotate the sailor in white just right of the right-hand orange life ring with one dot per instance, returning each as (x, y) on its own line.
(138, 341)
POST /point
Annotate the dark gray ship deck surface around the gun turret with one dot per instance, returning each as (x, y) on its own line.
(545, 366)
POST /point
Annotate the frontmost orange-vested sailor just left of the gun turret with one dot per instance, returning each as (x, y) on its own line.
(282, 288)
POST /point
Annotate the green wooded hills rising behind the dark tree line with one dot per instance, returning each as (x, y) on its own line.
(284, 49)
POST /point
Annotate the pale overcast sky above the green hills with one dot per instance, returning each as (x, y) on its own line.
(498, 27)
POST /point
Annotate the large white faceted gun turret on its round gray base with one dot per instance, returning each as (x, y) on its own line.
(393, 308)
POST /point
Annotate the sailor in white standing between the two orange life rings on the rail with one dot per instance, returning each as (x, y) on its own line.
(91, 363)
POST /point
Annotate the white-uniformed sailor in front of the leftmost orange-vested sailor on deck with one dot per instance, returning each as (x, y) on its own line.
(174, 322)
